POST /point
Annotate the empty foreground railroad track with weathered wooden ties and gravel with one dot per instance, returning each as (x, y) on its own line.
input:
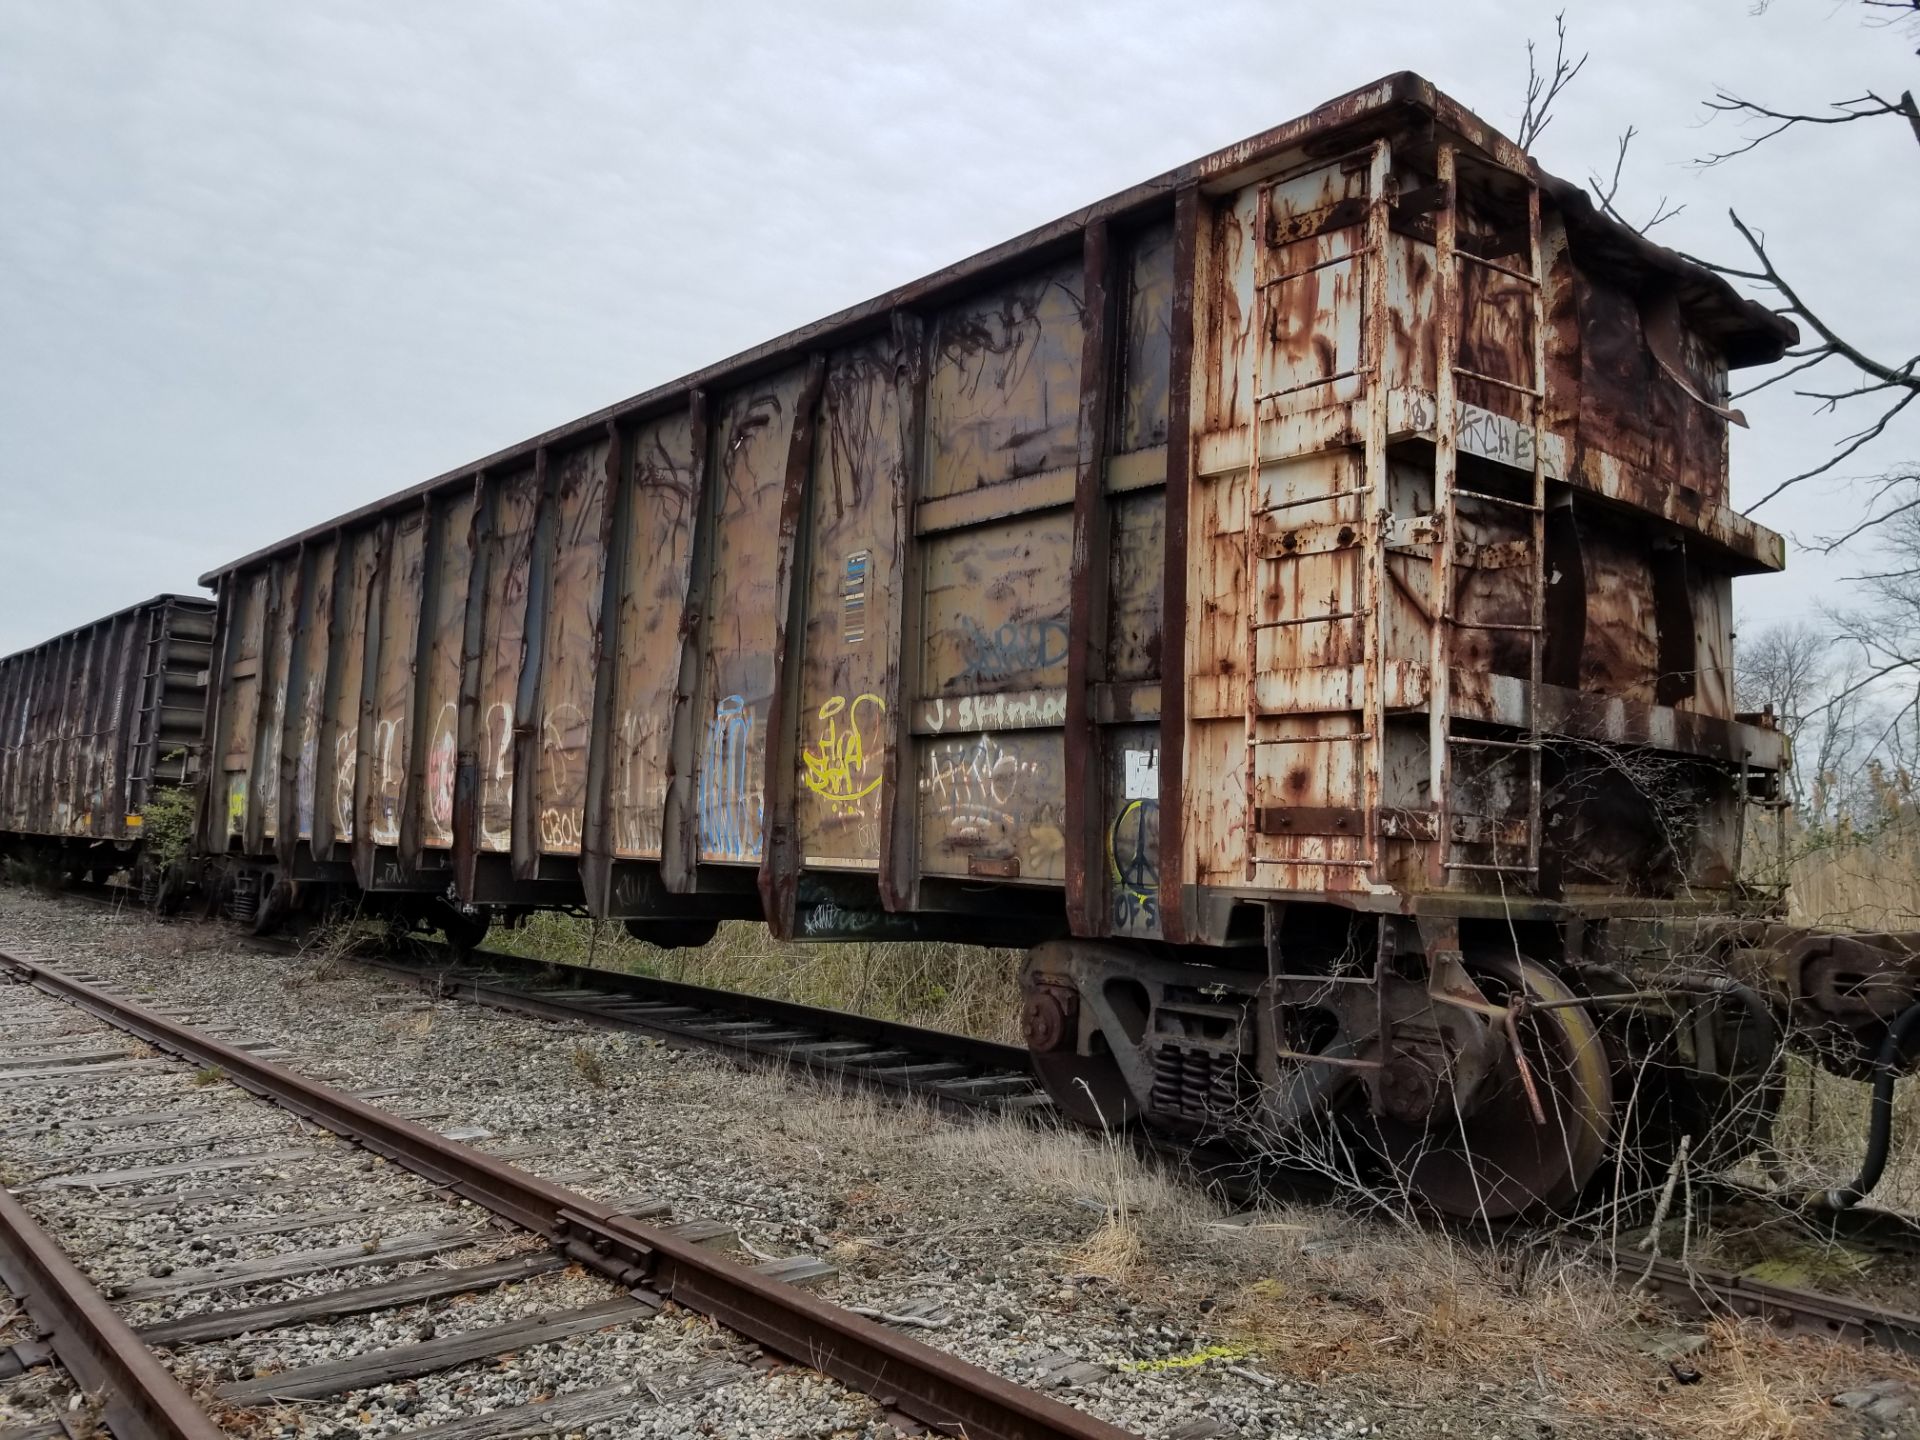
(97, 1122)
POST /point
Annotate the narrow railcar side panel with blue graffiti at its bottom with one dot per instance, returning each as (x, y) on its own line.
(752, 437)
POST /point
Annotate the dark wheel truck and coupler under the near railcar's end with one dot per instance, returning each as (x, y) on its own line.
(1483, 1070)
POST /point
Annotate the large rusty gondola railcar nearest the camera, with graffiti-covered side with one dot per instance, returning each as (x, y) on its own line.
(1293, 594)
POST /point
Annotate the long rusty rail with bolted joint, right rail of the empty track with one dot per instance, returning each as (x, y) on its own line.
(930, 1385)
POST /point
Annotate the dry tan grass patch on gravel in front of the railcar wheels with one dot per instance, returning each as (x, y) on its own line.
(1429, 1322)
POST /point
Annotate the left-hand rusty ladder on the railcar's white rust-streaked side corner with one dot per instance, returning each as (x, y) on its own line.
(1370, 577)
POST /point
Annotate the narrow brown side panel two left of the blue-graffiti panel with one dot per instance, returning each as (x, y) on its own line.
(569, 656)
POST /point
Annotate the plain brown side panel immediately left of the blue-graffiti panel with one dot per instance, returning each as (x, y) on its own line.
(654, 617)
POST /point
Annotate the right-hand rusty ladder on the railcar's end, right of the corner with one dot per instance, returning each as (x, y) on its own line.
(1443, 742)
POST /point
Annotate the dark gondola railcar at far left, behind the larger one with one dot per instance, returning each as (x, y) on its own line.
(93, 723)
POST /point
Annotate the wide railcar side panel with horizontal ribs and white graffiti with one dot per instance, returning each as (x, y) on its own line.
(997, 537)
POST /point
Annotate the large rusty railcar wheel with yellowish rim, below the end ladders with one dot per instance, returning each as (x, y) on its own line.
(1500, 1161)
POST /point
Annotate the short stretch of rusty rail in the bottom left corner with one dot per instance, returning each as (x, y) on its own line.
(91, 1341)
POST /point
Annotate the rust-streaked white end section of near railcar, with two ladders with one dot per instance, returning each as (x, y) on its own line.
(1439, 471)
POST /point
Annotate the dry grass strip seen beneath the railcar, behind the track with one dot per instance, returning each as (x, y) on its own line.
(957, 988)
